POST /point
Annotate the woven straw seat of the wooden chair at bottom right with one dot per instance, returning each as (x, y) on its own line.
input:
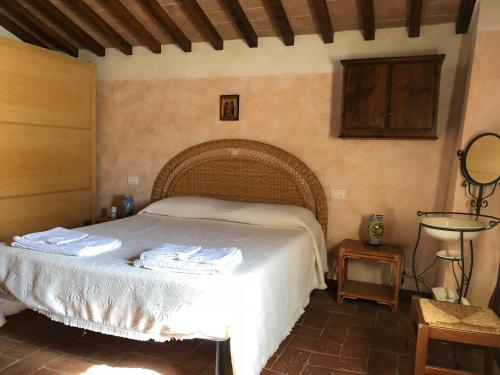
(460, 317)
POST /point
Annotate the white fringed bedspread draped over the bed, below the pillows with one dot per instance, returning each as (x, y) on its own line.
(256, 305)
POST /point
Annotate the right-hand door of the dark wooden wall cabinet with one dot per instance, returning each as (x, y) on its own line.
(413, 97)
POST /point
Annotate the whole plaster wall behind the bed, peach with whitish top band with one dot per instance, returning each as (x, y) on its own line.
(150, 107)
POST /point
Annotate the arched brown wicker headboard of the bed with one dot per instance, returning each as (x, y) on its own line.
(242, 170)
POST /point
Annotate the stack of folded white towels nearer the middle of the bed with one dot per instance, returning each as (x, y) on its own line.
(190, 259)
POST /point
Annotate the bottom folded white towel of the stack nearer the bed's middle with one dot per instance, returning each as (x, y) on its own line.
(204, 261)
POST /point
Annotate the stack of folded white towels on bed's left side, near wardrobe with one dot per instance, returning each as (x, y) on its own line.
(66, 242)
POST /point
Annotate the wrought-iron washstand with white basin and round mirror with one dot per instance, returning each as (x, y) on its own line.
(480, 166)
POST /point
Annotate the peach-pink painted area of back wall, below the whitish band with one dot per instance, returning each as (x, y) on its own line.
(142, 124)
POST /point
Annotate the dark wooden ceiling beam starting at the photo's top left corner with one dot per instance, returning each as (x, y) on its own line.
(24, 16)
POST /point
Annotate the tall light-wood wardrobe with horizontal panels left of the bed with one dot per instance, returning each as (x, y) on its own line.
(47, 139)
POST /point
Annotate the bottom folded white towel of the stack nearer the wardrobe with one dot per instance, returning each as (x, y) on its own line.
(88, 246)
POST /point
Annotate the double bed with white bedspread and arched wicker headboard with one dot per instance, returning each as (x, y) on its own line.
(220, 193)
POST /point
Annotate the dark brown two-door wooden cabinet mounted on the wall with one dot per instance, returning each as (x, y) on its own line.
(391, 97)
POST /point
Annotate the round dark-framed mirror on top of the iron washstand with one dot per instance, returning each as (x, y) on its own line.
(481, 159)
